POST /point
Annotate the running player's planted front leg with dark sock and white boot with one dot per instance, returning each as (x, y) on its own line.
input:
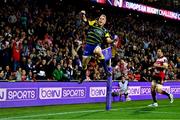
(153, 93)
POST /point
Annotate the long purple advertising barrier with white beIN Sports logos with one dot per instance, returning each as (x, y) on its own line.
(21, 94)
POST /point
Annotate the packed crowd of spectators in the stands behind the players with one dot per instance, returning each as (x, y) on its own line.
(44, 41)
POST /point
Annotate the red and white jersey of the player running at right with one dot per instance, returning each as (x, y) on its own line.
(160, 61)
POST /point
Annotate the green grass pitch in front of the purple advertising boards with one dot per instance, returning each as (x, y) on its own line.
(120, 110)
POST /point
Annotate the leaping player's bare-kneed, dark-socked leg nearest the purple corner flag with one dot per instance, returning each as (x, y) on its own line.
(98, 51)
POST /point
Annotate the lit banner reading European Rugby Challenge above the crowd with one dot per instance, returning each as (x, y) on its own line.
(140, 8)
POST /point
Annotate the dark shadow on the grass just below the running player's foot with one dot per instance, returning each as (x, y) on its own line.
(144, 110)
